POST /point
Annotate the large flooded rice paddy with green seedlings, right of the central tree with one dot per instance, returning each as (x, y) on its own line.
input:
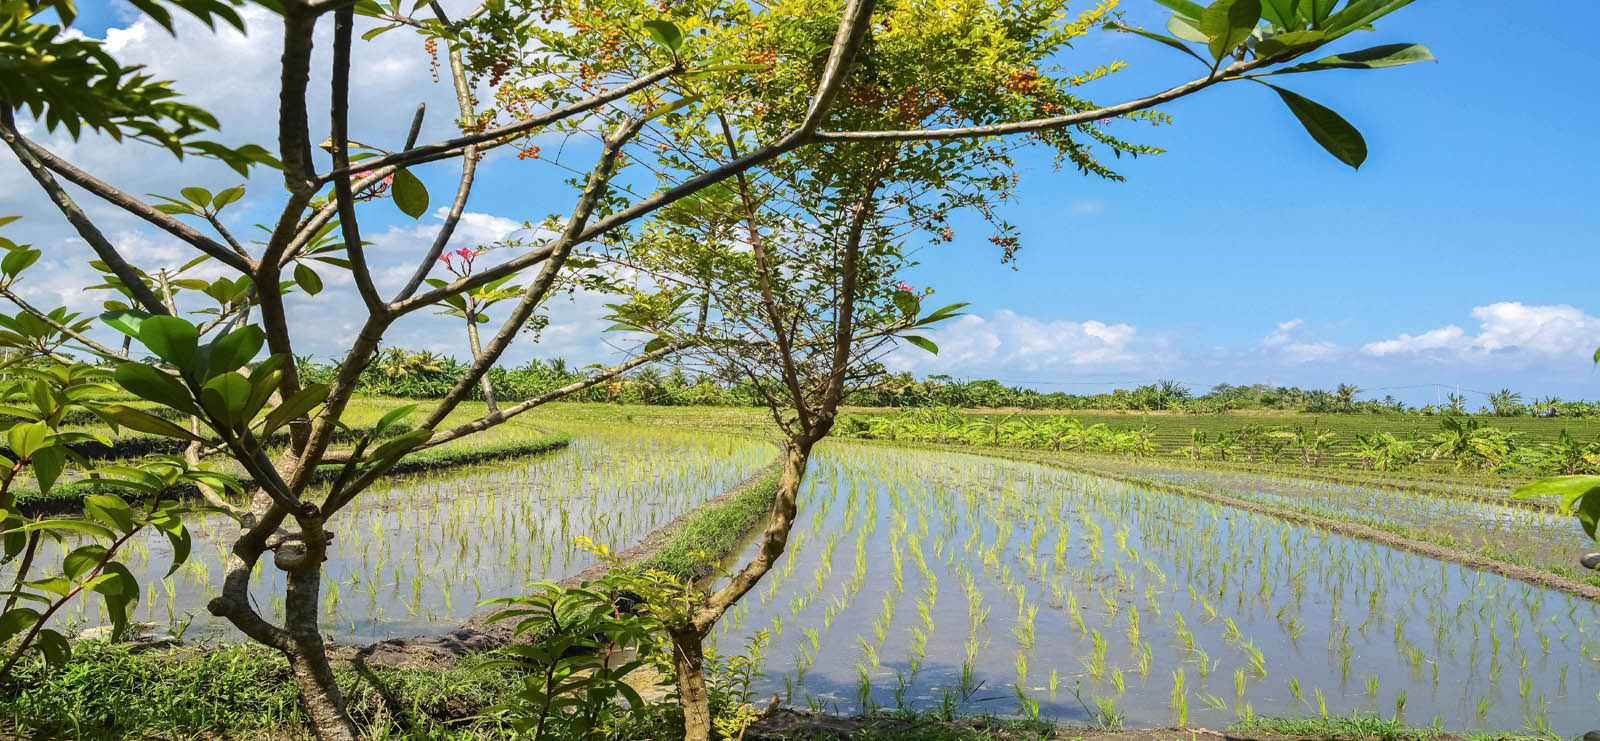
(950, 582)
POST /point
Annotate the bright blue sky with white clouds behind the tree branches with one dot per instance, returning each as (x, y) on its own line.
(1462, 254)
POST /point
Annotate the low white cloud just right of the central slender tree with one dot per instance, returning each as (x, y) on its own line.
(1010, 343)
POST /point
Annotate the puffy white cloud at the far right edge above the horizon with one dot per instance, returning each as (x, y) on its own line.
(1510, 332)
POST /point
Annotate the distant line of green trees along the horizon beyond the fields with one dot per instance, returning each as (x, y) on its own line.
(425, 375)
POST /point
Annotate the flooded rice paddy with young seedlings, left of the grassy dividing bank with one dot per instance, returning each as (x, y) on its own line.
(418, 553)
